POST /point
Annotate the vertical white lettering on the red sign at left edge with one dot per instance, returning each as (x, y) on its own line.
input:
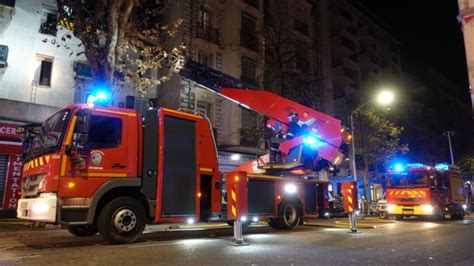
(13, 183)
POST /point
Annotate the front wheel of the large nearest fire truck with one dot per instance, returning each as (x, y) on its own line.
(122, 220)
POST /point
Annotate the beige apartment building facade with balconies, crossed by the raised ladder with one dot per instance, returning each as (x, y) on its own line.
(224, 36)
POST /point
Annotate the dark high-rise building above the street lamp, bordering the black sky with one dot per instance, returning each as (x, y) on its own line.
(365, 55)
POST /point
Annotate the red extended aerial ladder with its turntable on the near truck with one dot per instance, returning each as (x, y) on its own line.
(321, 146)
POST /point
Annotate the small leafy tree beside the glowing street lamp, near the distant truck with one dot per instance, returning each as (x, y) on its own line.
(377, 141)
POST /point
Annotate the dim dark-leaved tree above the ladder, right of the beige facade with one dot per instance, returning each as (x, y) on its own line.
(288, 59)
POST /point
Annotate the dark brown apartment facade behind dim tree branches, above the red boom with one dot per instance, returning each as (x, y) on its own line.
(294, 52)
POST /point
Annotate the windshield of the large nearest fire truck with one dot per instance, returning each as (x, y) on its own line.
(47, 137)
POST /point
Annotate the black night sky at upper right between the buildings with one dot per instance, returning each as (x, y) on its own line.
(429, 33)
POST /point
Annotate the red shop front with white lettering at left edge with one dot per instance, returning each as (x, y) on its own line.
(10, 166)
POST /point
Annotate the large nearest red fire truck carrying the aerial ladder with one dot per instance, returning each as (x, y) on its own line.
(110, 170)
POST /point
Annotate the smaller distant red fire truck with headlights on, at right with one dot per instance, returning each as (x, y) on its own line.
(425, 191)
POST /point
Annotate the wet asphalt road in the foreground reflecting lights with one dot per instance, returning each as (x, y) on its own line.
(409, 242)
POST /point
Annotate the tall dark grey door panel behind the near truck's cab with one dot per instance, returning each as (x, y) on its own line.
(178, 182)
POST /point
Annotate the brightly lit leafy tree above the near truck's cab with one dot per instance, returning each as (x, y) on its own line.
(123, 40)
